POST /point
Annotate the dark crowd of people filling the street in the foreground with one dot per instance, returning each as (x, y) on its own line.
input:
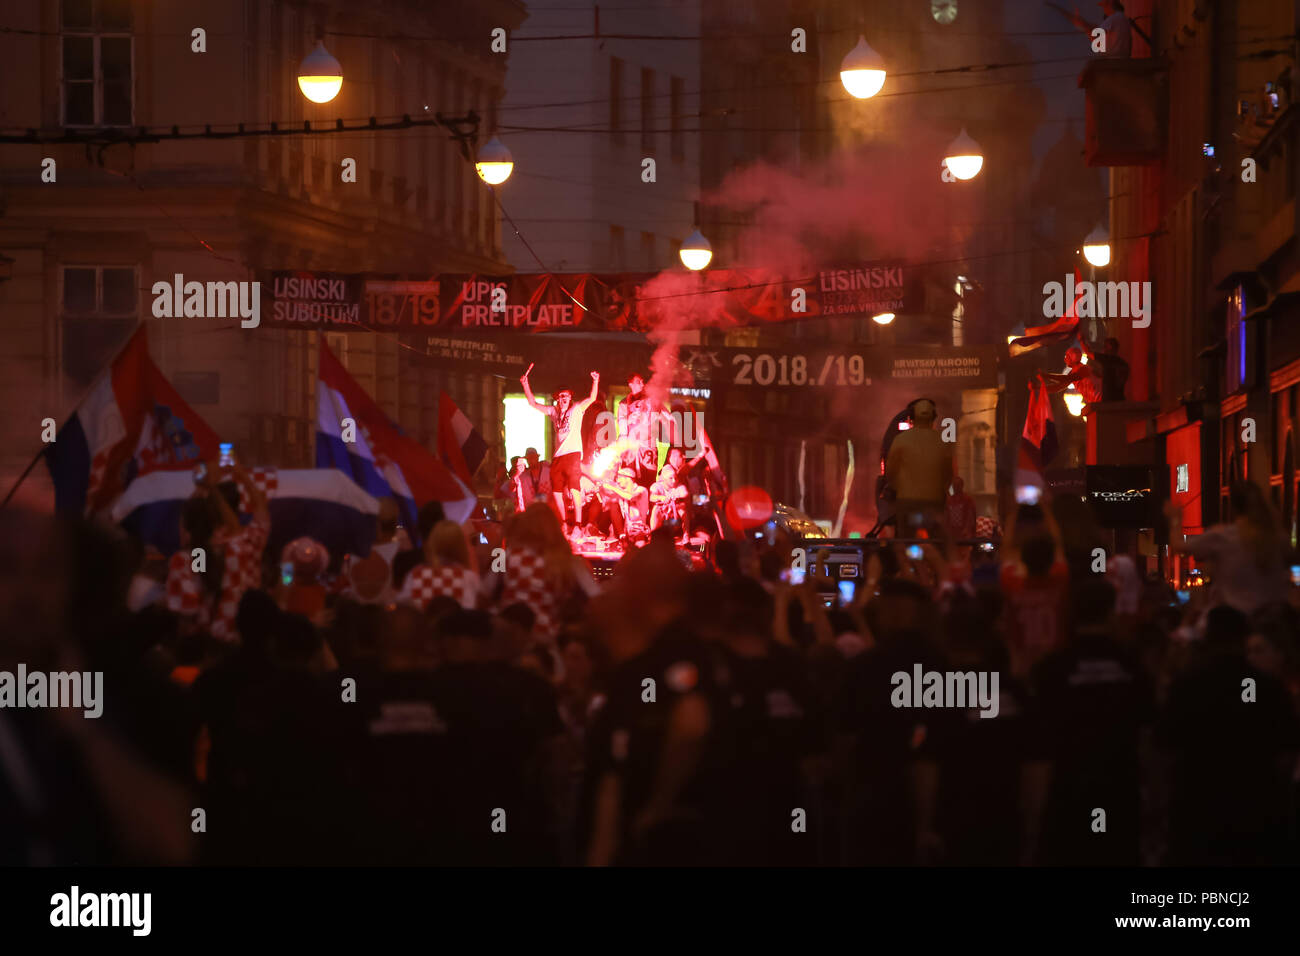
(450, 703)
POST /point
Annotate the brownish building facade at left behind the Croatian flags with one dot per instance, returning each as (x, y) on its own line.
(89, 246)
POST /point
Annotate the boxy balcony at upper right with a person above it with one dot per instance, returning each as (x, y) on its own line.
(1128, 107)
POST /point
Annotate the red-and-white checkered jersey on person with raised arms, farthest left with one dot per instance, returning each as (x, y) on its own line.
(185, 591)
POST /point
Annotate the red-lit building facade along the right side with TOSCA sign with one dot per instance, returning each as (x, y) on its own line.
(1208, 217)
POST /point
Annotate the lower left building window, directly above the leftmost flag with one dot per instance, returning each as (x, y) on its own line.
(99, 312)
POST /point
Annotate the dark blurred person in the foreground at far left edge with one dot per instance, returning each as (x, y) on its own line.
(75, 790)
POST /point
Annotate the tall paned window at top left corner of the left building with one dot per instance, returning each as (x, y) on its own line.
(97, 70)
